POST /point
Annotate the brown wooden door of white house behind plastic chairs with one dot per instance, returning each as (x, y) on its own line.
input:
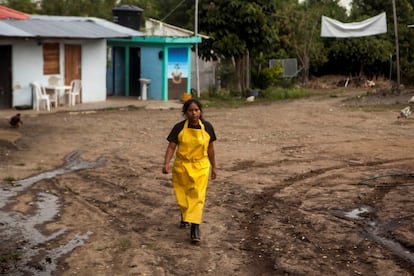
(73, 64)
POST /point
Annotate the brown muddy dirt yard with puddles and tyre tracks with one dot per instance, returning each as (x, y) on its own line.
(316, 186)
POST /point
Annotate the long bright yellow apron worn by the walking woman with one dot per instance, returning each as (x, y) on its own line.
(190, 172)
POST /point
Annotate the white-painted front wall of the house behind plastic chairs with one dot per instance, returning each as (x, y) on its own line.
(27, 66)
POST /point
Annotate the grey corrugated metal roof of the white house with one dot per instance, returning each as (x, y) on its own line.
(64, 27)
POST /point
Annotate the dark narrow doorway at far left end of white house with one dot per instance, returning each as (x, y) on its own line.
(5, 77)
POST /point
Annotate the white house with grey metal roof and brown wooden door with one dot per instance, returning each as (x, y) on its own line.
(50, 48)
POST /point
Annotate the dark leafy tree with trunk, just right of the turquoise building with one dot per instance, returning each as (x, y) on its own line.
(237, 29)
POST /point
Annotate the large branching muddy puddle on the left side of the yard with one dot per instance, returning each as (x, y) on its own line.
(23, 231)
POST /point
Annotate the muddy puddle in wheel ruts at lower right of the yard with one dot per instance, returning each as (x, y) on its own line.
(377, 231)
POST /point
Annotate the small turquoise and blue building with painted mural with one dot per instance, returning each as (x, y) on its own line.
(150, 67)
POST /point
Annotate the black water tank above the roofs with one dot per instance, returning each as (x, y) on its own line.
(128, 16)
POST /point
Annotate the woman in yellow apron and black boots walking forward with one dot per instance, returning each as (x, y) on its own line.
(195, 158)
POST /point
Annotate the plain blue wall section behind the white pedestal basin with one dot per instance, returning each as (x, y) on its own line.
(151, 68)
